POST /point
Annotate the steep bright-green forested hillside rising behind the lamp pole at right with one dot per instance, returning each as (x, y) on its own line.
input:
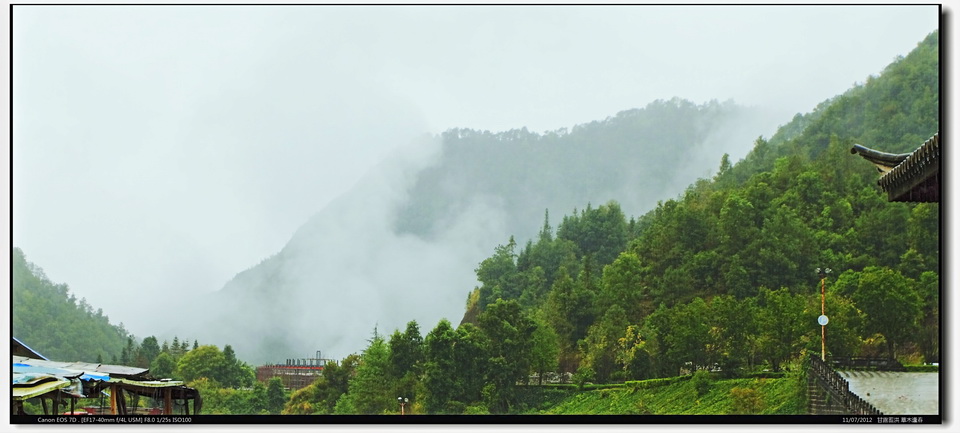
(636, 299)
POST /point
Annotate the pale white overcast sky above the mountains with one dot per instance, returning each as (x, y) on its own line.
(160, 150)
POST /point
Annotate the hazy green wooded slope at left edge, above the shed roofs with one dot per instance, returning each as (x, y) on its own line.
(49, 319)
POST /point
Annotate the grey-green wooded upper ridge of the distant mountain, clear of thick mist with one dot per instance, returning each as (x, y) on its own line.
(663, 146)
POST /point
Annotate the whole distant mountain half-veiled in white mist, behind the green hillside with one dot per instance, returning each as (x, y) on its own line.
(403, 244)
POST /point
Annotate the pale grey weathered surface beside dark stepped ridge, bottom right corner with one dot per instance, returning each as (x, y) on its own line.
(897, 393)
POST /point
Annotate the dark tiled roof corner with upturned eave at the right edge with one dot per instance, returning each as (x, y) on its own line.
(909, 177)
